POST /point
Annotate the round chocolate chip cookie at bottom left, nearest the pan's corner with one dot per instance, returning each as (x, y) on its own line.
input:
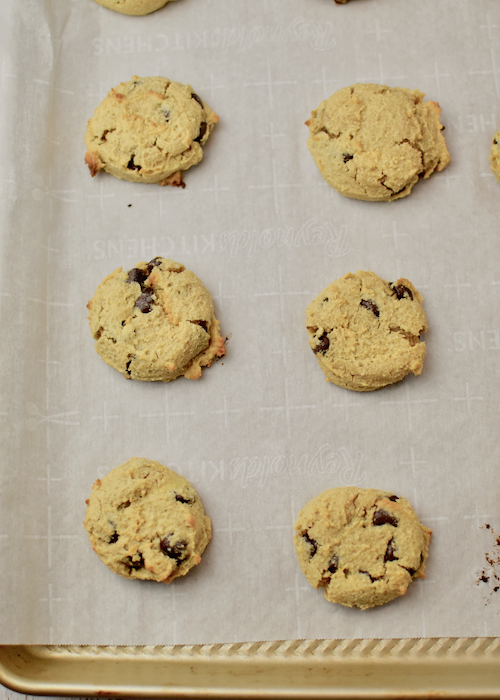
(147, 522)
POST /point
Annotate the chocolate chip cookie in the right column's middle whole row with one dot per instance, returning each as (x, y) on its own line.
(365, 332)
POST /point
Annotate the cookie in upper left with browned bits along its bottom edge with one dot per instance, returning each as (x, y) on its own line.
(148, 130)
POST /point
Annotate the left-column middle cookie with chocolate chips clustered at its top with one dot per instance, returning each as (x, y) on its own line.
(155, 322)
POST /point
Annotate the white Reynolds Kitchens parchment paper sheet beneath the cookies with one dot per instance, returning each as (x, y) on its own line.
(262, 432)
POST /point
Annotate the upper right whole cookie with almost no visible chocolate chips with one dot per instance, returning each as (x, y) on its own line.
(374, 142)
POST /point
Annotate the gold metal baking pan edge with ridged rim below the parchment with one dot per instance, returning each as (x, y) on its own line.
(387, 668)
